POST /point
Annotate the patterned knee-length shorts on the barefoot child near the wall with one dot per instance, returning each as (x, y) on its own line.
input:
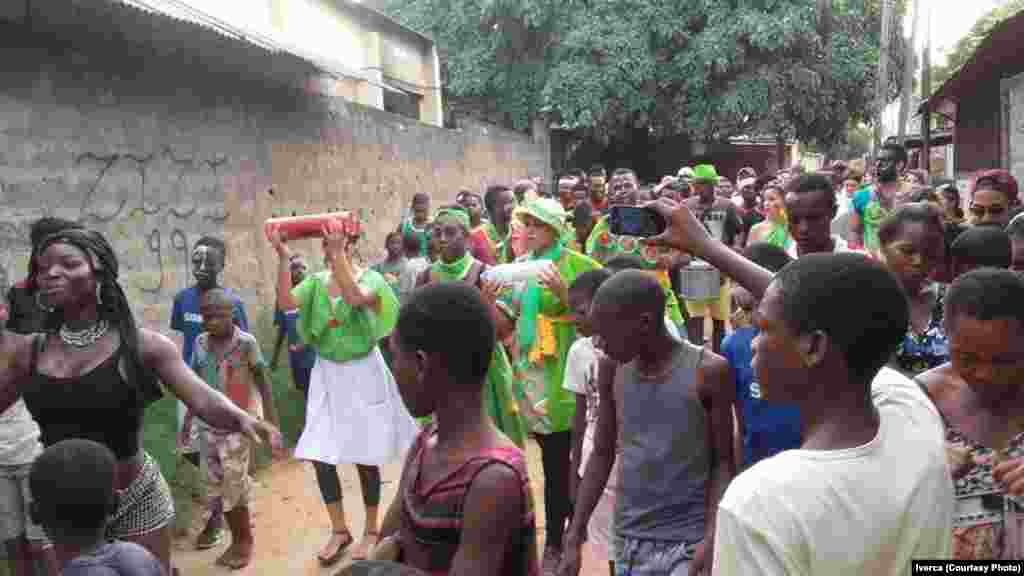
(228, 469)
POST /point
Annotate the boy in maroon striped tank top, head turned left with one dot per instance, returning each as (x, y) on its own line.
(464, 505)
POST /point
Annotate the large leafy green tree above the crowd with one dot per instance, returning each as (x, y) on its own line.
(708, 69)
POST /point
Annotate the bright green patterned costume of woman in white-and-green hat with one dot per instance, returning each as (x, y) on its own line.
(546, 333)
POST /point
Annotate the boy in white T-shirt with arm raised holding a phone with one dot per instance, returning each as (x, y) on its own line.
(870, 488)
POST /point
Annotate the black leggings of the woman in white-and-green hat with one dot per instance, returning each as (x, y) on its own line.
(556, 452)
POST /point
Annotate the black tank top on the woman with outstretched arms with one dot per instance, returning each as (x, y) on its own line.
(99, 405)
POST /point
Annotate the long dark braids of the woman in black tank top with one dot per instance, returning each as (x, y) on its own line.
(113, 306)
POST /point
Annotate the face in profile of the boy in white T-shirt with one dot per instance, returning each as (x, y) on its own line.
(778, 362)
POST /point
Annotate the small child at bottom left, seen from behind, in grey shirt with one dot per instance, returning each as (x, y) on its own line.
(73, 484)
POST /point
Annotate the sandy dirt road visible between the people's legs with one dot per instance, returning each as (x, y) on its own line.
(291, 524)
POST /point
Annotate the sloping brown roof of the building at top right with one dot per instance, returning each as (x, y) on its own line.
(997, 58)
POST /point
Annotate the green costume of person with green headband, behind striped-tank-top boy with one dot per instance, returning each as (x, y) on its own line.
(499, 397)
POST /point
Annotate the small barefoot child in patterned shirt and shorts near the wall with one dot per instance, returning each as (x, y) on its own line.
(230, 361)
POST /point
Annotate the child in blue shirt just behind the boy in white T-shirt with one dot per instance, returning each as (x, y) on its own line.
(765, 428)
